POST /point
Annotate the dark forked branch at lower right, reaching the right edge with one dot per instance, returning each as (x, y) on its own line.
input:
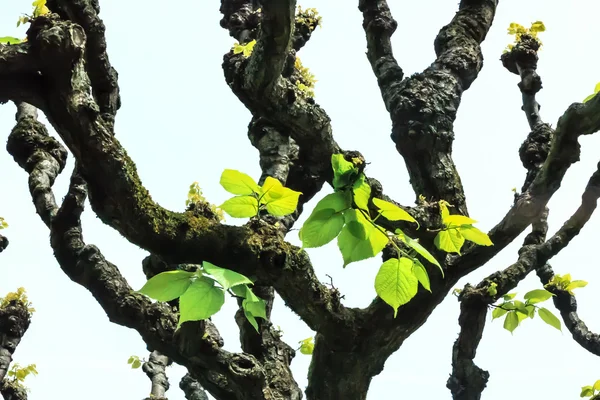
(466, 380)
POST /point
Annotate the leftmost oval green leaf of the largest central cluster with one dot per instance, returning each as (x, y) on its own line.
(321, 228)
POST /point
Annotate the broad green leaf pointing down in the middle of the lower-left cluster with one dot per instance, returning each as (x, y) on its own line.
(202, 300)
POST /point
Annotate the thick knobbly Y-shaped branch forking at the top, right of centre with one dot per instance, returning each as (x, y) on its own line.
(423, 107)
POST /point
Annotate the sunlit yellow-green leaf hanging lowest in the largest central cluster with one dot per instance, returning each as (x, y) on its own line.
(395, 282)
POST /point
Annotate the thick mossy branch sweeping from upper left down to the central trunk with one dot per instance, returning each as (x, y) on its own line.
(124, 203)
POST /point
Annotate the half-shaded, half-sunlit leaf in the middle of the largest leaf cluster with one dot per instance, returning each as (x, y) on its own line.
(355, 249)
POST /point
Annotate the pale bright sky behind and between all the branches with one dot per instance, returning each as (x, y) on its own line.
(181, 123)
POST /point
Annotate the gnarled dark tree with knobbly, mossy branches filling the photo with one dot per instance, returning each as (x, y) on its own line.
(63, 71)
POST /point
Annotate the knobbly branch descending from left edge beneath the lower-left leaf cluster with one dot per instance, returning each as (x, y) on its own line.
(196, 345)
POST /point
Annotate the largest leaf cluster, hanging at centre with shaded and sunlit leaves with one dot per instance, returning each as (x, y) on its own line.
(345, 215)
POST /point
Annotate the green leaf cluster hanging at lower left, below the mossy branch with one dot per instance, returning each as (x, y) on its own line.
(202, 293)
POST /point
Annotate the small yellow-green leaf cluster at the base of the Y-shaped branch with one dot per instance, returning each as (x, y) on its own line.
(457, 229)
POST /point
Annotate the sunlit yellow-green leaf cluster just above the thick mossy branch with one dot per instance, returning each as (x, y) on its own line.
(276, 199)
